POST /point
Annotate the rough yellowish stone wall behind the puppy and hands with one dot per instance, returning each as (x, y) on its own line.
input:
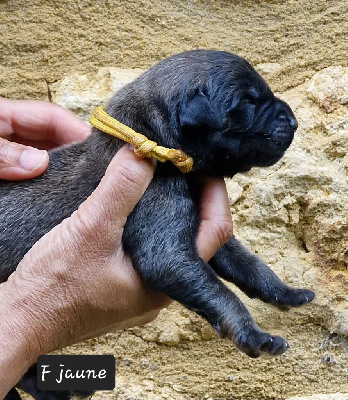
(294, 214)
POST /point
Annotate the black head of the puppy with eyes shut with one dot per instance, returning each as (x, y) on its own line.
(223, 113)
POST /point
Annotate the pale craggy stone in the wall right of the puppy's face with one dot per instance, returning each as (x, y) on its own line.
(301, 214)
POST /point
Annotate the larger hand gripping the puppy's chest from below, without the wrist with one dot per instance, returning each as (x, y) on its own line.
(79, 271)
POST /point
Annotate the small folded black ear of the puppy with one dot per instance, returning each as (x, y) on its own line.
(200, 111)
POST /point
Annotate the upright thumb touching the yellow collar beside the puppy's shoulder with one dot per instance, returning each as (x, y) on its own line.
(125, 181)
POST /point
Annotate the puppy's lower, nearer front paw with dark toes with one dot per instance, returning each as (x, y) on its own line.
(256, 344)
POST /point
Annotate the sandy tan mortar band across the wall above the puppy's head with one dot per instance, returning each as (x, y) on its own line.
(42, 40)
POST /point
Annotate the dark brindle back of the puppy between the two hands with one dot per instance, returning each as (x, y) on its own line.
(29, 209)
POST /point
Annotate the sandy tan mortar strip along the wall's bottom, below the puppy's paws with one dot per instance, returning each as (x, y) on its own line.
(215, 369)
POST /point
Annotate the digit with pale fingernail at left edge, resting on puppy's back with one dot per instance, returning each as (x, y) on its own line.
(21, 162)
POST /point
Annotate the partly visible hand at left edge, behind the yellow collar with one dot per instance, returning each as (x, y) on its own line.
(26, 127)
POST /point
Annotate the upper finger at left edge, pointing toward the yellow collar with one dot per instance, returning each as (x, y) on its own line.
(40, 121)
